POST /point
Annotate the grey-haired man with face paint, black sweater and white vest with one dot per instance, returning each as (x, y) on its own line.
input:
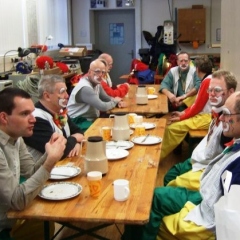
(51, 116)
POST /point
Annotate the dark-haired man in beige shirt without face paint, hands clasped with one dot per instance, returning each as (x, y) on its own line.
(17, 121)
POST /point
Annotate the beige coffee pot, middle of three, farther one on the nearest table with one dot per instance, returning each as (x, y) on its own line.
(120, 130)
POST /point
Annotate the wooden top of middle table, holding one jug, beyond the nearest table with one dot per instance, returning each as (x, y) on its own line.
(154, 106)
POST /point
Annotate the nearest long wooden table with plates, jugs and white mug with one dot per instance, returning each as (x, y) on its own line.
(140, 168)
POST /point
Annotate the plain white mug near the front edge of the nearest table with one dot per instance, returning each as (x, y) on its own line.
(121, 189)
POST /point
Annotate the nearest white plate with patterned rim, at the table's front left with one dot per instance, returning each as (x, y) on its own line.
(60, 191)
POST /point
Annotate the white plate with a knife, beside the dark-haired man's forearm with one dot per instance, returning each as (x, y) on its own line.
(64, 172)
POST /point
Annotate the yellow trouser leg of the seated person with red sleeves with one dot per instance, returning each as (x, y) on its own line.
(176, 132)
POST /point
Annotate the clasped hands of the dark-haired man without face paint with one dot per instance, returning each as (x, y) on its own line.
(54, 149)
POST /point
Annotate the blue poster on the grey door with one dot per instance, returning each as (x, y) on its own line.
(116, 33)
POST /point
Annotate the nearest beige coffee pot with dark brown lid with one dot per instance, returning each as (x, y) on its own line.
(95, 157)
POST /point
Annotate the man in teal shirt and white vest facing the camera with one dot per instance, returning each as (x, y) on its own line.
(180, 83)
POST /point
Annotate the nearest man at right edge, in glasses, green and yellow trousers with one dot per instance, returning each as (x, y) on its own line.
(180, 213)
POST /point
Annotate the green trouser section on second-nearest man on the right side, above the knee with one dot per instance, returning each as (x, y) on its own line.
(177, 170)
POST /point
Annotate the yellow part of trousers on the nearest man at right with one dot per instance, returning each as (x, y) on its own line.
(174, 227)
